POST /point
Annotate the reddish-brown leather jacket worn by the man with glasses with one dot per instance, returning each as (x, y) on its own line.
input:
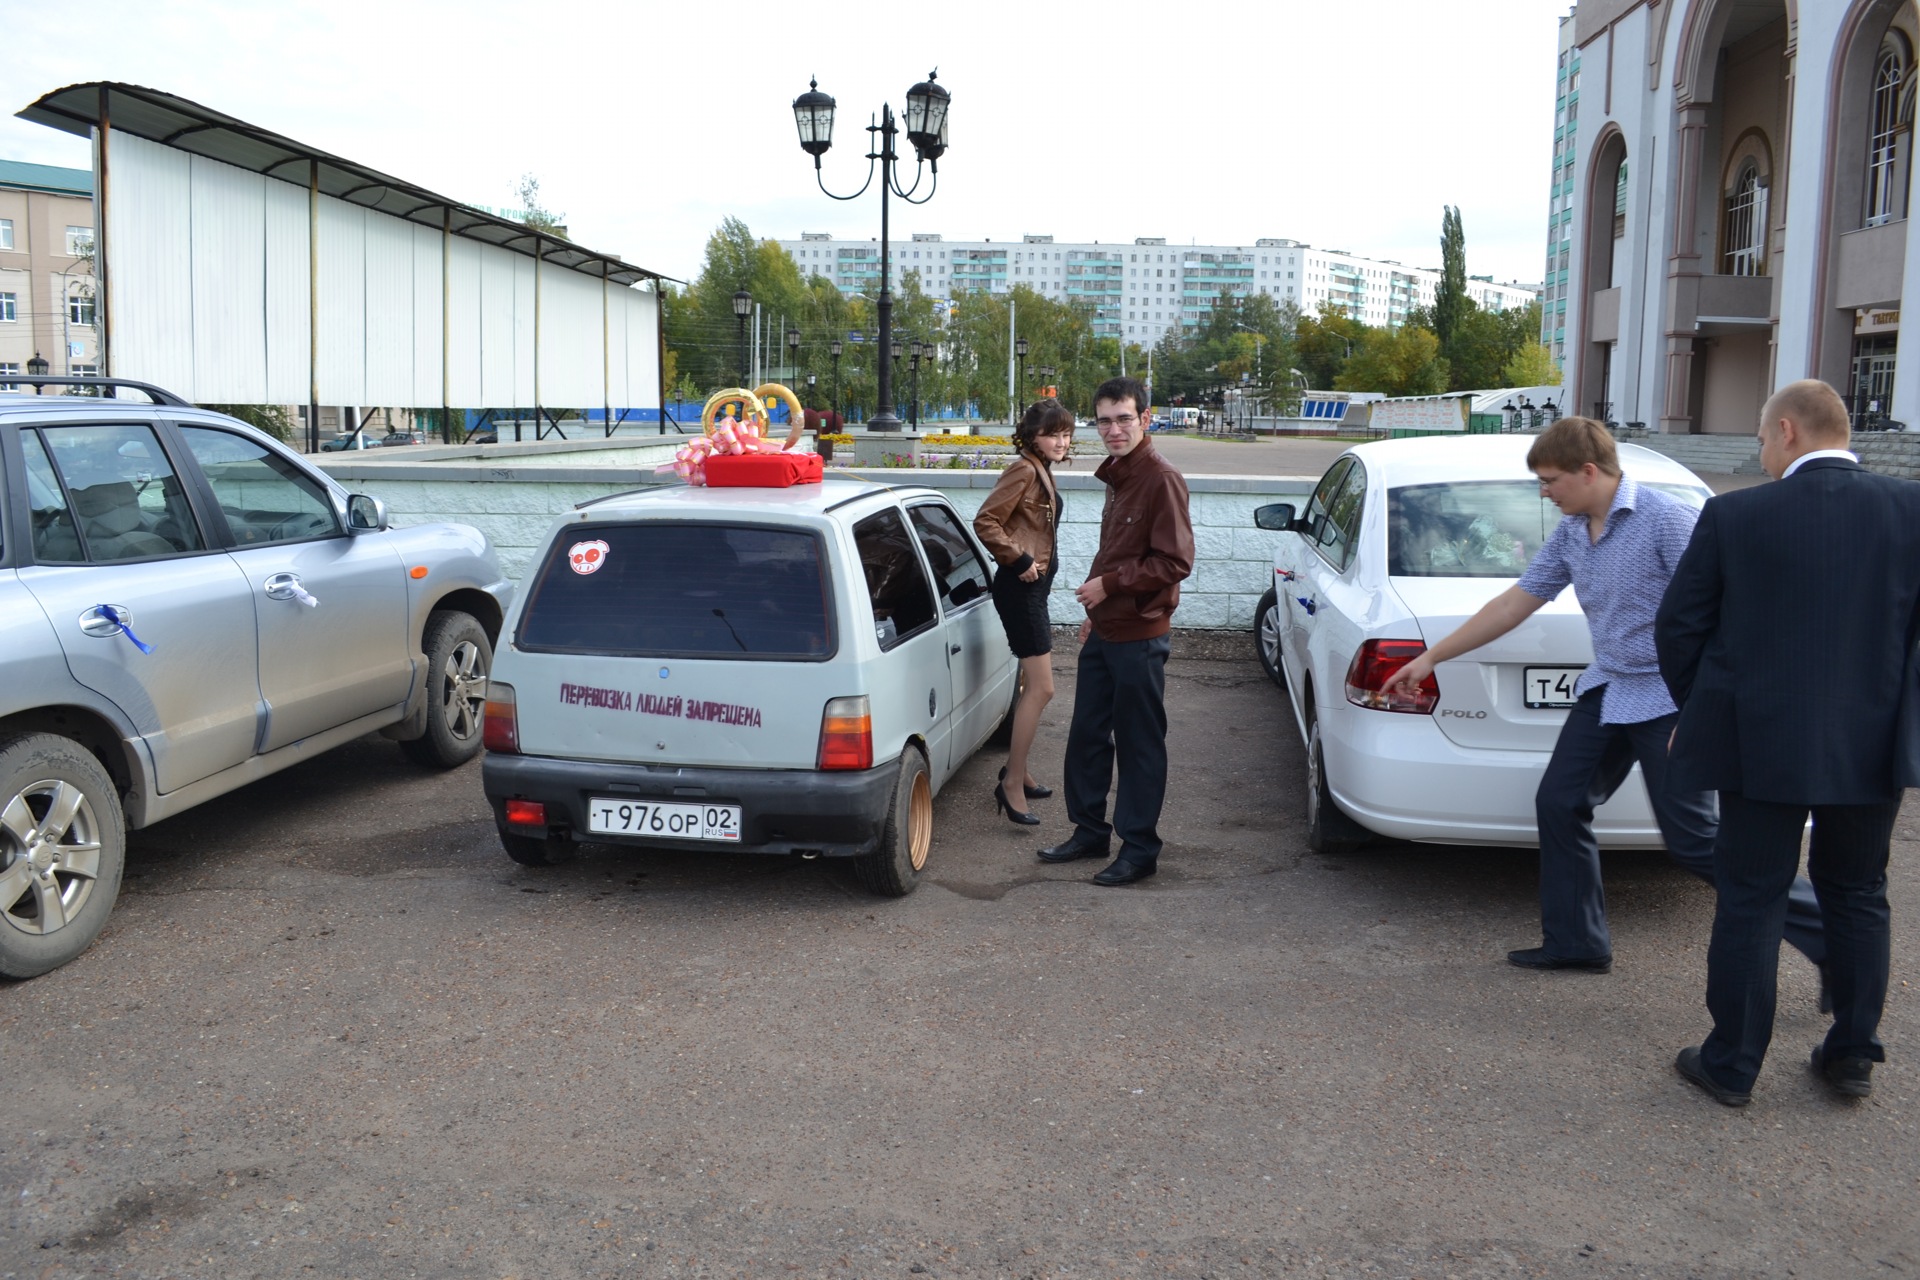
(1147, 546)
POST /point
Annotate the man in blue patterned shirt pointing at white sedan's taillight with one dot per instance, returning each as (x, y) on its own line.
(1618, 546)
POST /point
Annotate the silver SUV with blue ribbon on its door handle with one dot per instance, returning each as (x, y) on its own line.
(187, 607)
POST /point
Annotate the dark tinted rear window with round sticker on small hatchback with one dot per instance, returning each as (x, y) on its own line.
(683, 590)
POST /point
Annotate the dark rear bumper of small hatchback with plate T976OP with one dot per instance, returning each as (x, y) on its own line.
(780, 811)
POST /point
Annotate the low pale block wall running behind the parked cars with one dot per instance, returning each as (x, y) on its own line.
(516, 506)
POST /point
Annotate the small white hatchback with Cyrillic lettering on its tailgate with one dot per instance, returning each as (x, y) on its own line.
(773, 671)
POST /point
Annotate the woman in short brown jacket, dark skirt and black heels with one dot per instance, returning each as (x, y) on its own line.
(1020, 527)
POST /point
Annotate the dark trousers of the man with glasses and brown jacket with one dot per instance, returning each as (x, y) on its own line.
(1120, 713)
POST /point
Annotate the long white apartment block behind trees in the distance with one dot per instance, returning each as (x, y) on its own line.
(1143, 291)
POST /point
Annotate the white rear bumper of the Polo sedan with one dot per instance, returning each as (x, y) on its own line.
(1403, 778)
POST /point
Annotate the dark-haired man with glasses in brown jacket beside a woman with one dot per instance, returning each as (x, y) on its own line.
(1132, 590)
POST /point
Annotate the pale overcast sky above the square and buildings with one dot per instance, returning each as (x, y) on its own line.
(1343, 126)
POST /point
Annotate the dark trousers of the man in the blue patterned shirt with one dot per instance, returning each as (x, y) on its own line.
(1591, 761)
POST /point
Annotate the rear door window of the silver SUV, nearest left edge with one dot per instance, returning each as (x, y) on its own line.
(116, 496)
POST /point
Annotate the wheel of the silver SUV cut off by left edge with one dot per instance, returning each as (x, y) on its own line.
(80, 876)
